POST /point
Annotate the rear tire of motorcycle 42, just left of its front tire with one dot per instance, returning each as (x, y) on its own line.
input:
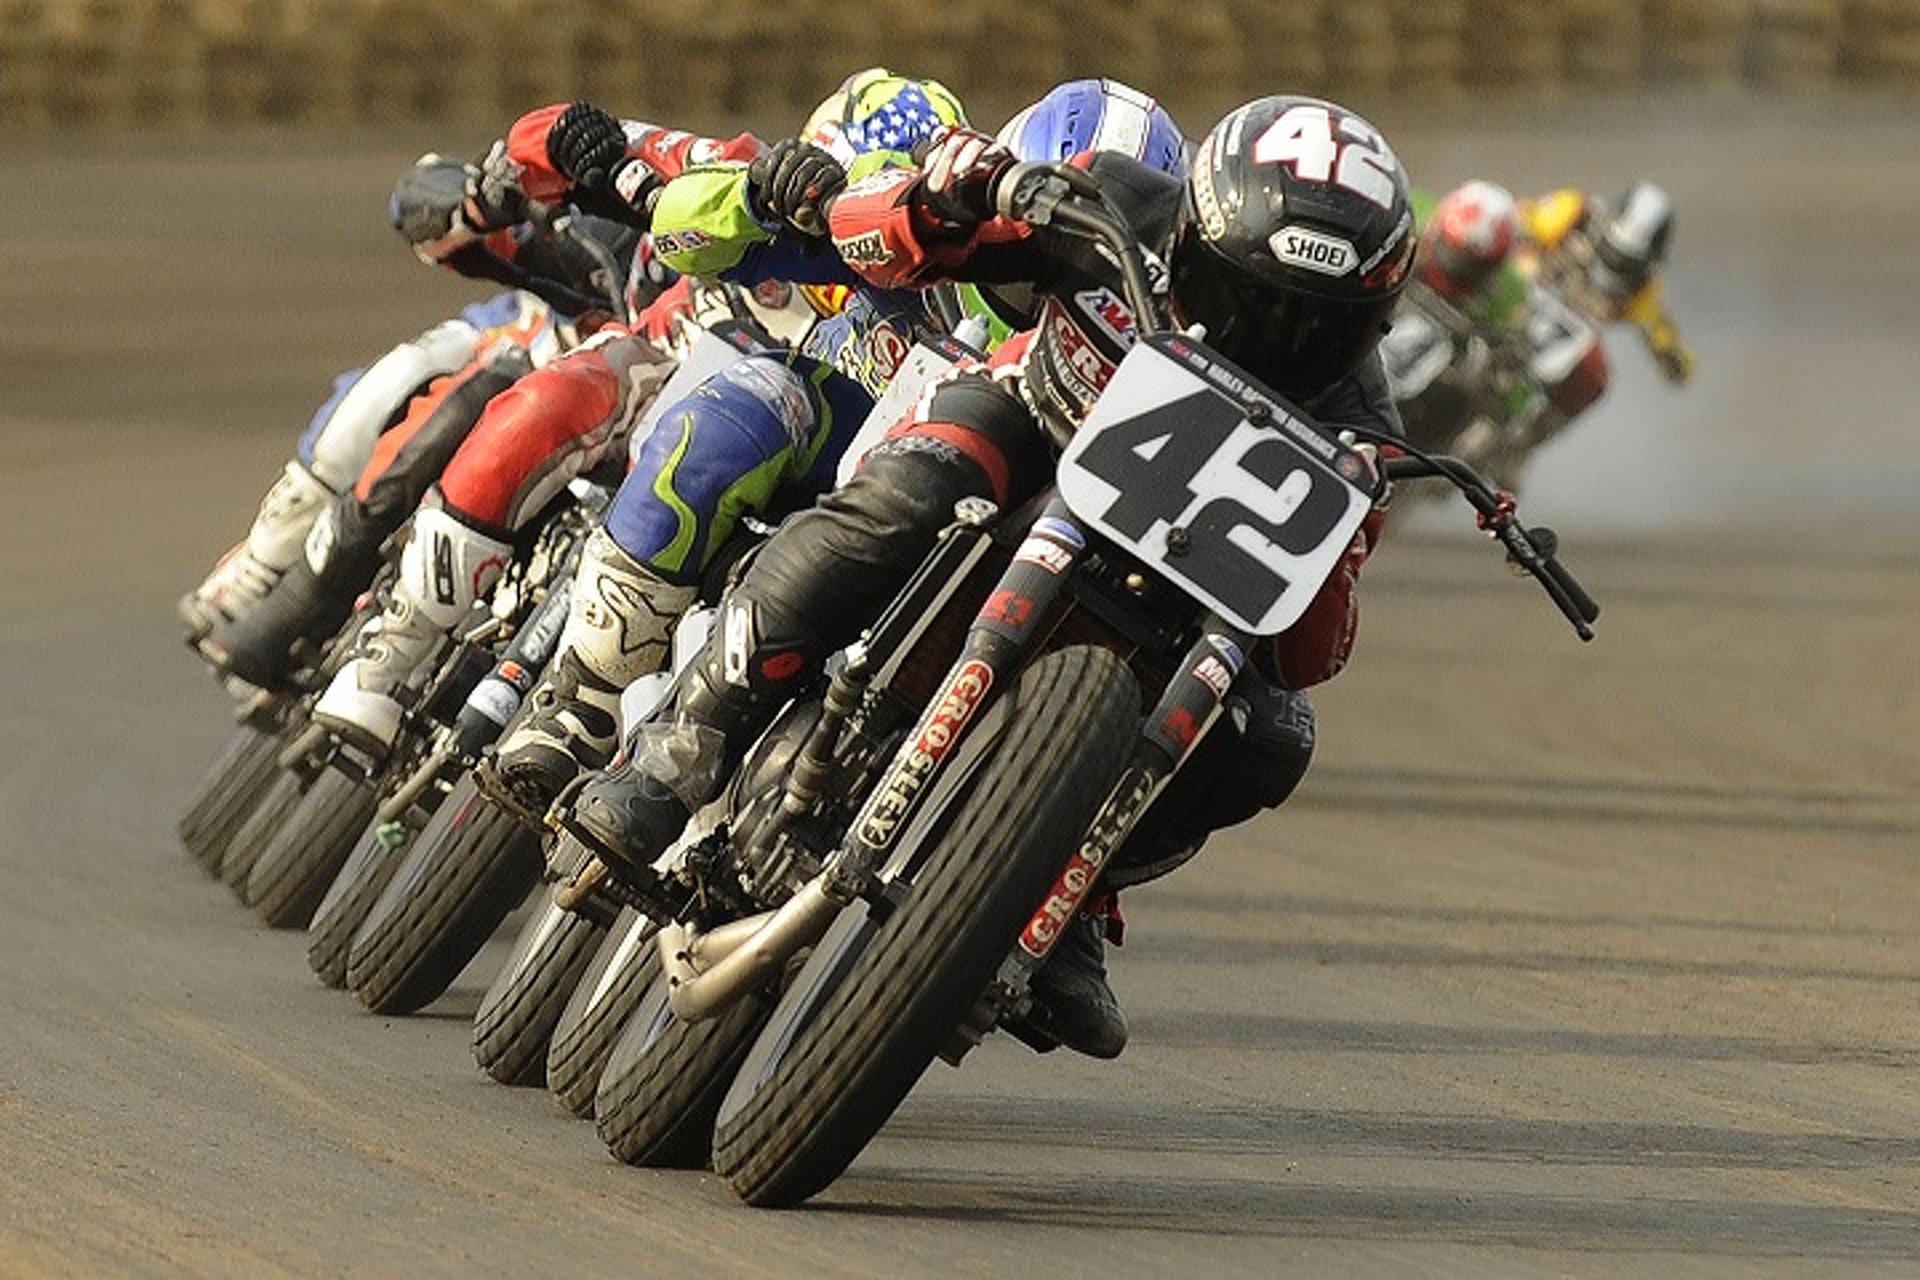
(665, 1079)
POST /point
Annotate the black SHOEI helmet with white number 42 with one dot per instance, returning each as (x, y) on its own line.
(1295, 243)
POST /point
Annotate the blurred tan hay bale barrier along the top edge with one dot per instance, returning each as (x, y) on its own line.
(191, 64)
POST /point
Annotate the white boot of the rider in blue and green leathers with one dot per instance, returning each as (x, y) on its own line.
(619, 627)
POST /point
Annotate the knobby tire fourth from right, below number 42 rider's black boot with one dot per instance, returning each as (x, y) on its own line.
(519, 1012)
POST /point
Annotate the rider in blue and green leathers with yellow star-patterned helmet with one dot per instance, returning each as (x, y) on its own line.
(761, 439)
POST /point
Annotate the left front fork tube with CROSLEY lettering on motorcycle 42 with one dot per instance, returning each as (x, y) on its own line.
(1003, 630)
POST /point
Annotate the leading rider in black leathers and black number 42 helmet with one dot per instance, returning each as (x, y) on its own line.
(1274, 176)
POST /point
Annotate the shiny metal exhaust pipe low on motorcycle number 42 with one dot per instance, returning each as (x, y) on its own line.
(711, 972)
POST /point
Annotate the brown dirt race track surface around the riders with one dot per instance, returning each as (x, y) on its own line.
(1566, 960)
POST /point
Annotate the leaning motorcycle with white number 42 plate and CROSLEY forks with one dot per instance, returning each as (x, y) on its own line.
(900, 851)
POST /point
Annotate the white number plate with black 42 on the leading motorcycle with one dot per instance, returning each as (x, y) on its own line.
(1249, 519)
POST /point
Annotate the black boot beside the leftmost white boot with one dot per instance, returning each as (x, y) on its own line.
(308, 604)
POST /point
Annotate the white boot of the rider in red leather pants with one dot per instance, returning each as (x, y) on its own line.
(444, 567)
